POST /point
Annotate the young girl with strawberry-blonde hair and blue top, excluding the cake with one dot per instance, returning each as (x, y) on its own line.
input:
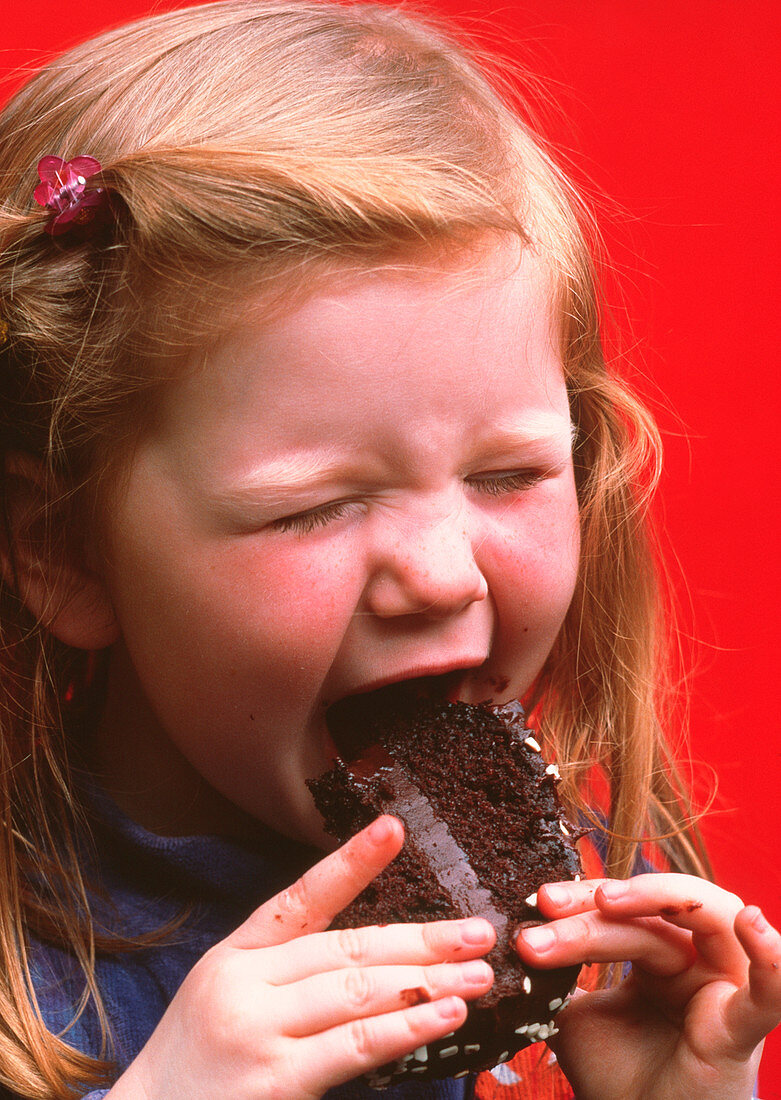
(303, 397)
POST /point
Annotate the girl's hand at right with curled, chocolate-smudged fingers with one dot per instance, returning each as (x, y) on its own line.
(703, 993)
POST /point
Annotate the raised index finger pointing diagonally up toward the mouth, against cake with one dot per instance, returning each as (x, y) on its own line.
(314, 900)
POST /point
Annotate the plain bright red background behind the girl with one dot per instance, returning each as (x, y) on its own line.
(667, 107)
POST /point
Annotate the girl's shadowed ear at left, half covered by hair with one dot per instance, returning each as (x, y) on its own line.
(51, 576)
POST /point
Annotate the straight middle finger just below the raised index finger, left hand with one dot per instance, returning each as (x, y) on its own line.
(394, 944)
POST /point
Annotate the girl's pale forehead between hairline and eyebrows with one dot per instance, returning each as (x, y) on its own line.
(452, 327)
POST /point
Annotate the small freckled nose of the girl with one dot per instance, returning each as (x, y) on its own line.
(426, 568)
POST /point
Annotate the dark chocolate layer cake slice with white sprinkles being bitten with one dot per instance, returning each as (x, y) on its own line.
(485, 829)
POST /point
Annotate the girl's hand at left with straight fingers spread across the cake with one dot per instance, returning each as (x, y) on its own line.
(283, 1008)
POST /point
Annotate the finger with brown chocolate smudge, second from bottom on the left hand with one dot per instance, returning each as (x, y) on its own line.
(337, 998)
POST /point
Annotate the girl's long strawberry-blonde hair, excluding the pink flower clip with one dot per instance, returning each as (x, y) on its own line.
(267, 137)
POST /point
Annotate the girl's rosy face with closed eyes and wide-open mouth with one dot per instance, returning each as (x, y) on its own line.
(376, 488)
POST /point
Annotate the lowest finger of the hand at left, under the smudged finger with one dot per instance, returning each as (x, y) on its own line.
(361, 1046)
